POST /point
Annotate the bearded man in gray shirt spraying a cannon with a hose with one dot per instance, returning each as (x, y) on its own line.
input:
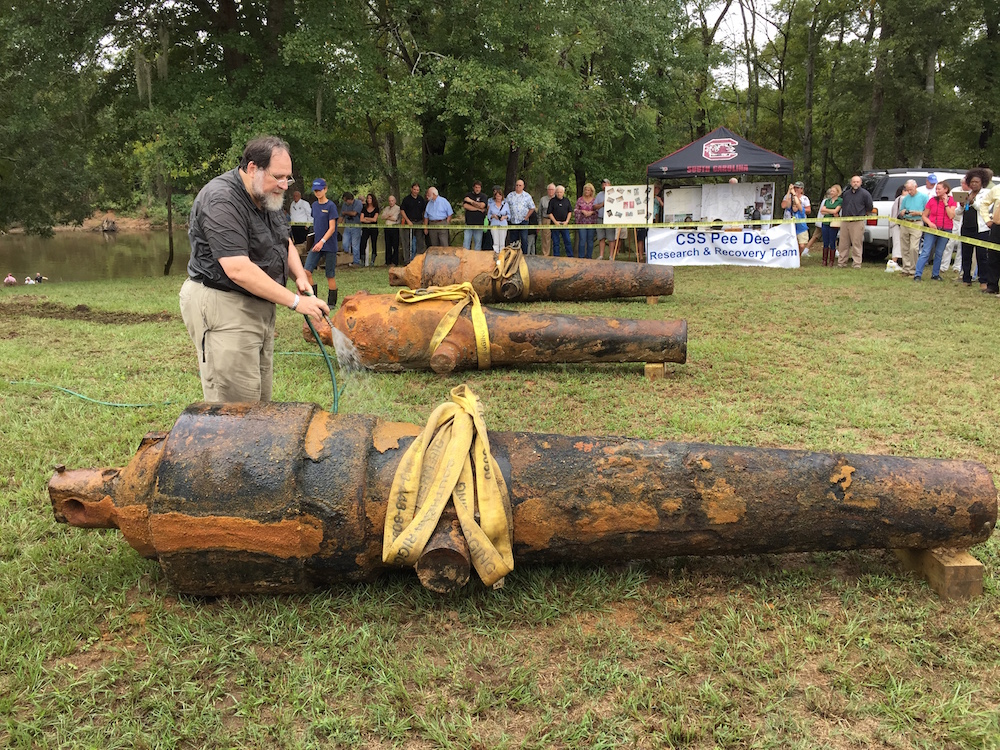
(241, 258)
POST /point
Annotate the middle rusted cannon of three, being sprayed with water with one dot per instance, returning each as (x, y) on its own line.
(391, 336)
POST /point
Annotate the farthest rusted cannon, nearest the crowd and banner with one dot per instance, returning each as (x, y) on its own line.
(548, 278)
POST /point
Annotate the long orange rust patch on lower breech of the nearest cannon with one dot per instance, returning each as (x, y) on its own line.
(176, 532)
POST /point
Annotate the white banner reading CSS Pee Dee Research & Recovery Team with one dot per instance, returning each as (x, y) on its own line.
(775, 247)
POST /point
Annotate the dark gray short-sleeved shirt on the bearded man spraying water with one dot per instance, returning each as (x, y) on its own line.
(225, 222)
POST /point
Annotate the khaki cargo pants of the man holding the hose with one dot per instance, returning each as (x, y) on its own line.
(233, 335)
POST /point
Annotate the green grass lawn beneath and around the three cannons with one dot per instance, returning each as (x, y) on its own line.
(839, 650)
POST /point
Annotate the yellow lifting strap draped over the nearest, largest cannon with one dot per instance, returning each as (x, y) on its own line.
(451, 459)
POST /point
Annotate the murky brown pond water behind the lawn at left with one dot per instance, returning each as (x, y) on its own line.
(92, 256)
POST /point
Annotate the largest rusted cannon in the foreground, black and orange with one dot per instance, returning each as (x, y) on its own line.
(272, 497)
